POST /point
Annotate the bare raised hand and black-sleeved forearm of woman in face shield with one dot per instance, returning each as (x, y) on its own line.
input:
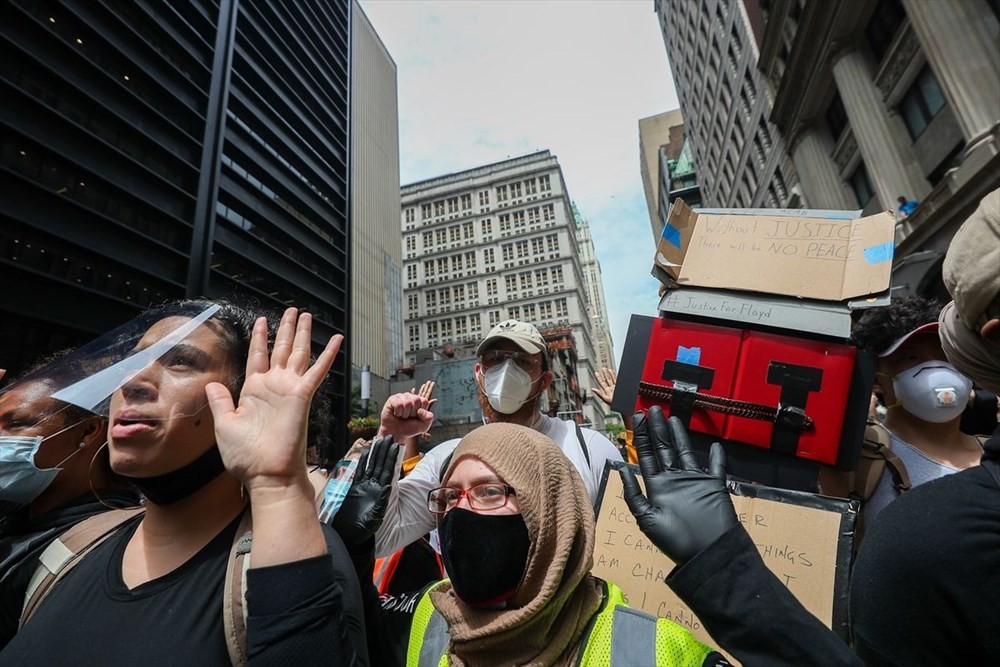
(300, 607)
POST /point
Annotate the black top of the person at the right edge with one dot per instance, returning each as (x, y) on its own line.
(926, 584)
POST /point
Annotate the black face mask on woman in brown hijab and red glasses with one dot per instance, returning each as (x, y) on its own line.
(485, 555)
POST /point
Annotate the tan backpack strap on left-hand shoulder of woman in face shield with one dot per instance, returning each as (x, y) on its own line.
(64, 552)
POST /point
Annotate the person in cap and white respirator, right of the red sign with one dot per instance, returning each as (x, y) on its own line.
(924, 397)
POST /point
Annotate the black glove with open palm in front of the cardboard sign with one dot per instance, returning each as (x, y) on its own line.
(687, 510)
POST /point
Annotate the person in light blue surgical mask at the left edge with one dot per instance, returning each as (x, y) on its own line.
(54, 472)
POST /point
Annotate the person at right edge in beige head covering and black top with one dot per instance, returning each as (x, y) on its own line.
(926, 583)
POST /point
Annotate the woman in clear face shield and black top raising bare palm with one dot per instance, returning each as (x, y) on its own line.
(208, 422)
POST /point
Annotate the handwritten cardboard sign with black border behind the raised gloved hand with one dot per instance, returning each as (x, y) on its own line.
(805, 539)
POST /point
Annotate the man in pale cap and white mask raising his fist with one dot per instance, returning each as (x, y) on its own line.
(511, 376)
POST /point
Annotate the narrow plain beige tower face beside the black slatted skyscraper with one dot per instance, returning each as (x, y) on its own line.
(376, 245)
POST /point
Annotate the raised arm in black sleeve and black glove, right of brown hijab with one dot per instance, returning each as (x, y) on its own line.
(688, 514)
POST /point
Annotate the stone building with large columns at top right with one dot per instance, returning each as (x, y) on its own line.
(878, 99)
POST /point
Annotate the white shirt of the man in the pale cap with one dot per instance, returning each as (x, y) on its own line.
(407, 517)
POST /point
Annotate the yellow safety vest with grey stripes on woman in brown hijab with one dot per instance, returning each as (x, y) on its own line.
(617, 636)
